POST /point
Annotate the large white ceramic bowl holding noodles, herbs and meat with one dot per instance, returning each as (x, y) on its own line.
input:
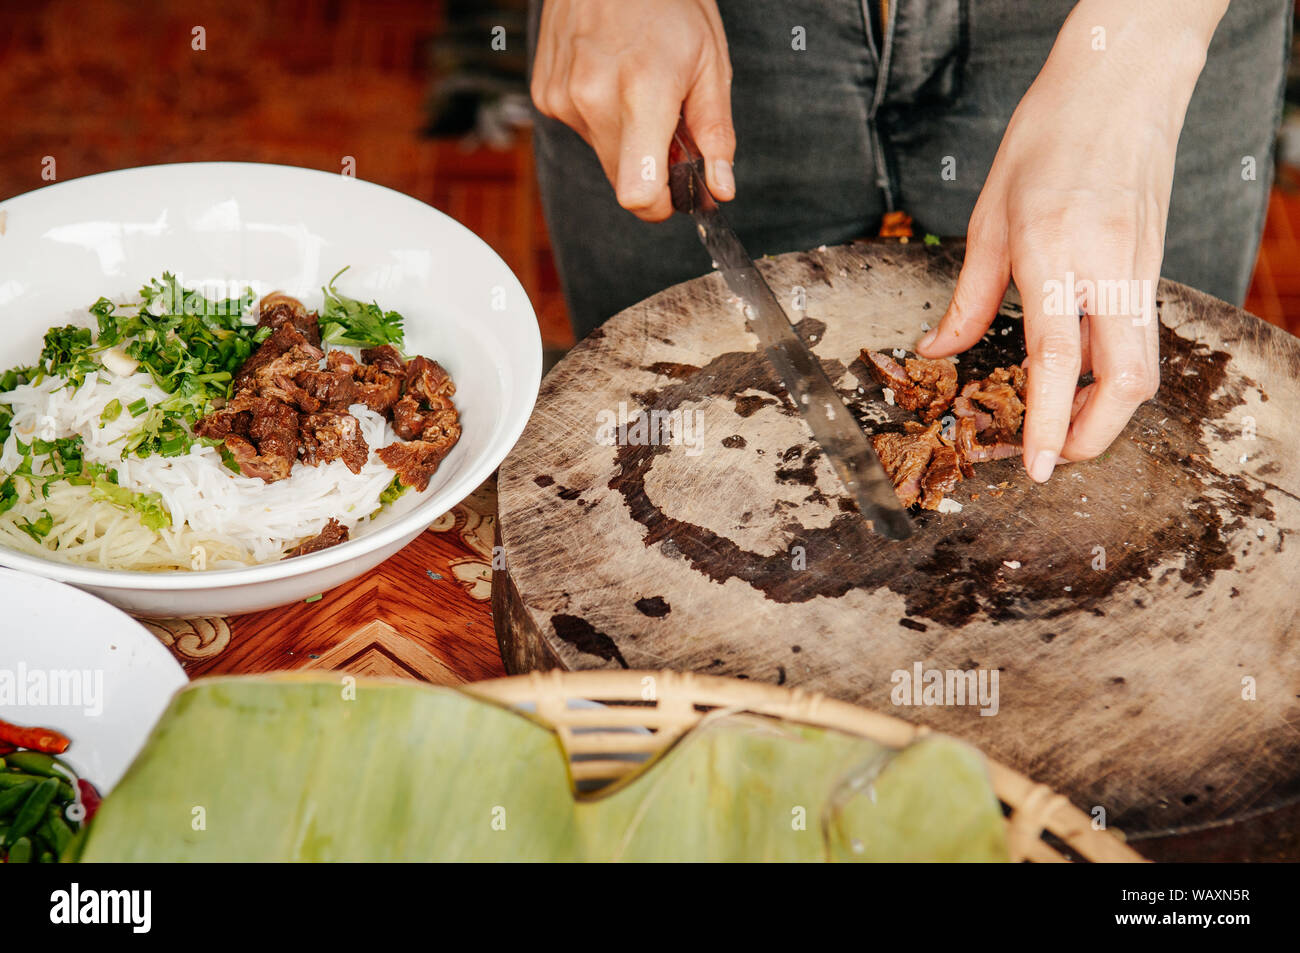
(276, 227)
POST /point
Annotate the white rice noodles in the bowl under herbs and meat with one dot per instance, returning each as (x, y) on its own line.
(237, 521)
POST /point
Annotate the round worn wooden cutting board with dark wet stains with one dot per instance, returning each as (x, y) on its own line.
(1139, 612)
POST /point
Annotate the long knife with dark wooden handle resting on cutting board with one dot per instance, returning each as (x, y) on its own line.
(834, 427)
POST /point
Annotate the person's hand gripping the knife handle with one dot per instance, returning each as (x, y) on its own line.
(621, 73)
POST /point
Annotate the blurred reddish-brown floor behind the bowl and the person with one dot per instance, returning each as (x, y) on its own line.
(112, 84)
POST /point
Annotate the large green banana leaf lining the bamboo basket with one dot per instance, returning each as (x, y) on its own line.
(315, 769)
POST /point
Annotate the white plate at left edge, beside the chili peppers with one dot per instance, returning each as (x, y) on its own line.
(107, 678)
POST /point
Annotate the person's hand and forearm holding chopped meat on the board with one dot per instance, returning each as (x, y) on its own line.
(1074, 211)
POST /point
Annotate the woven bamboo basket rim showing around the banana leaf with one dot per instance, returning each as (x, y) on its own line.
(647, 712)
